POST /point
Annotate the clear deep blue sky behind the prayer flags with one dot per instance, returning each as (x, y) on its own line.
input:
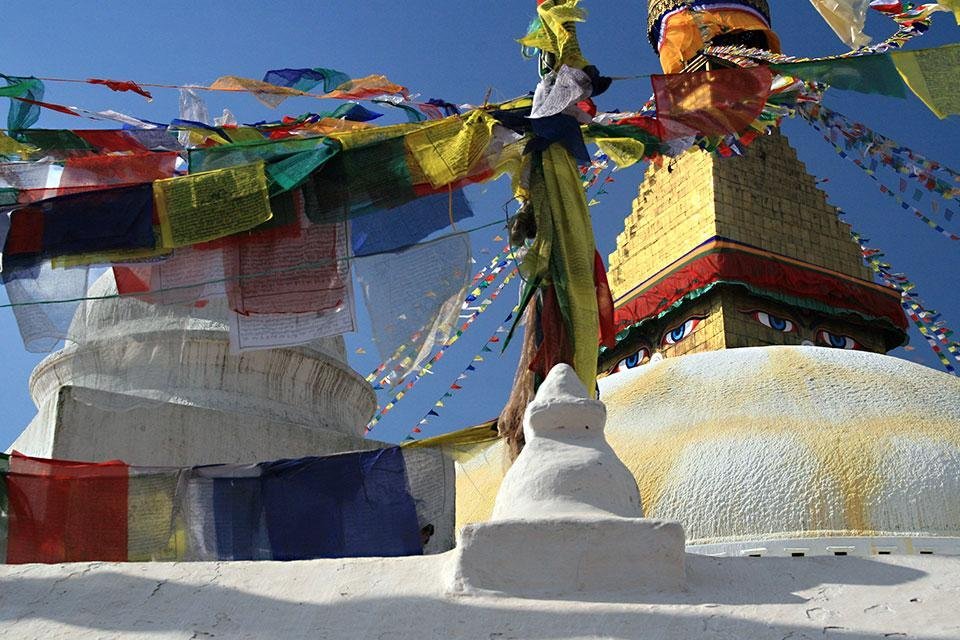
(456, 51)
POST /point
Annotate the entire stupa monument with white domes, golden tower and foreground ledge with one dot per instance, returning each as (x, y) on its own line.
(754, 465)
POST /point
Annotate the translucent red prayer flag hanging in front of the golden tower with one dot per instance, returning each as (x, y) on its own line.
(711, 103)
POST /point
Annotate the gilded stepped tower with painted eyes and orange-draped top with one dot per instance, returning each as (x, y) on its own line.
(720, 253)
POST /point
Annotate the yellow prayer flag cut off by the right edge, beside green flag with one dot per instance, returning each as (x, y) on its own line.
(934, 76)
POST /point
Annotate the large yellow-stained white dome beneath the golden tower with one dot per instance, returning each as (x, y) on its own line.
(770, 449)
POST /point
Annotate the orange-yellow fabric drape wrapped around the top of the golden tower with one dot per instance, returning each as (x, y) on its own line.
(685, 32)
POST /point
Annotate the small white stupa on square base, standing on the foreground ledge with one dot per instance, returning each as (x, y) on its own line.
(568, 514)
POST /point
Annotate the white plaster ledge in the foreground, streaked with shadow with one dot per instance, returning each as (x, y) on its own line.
(726, 599)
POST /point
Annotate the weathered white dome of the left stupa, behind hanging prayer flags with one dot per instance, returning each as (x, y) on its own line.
(179, 353)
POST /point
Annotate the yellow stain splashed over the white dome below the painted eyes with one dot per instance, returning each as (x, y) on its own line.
(847, 455)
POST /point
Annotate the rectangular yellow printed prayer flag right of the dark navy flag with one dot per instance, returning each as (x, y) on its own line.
(212, 204)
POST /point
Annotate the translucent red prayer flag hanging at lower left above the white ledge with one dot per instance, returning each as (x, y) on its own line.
(64, 511)
